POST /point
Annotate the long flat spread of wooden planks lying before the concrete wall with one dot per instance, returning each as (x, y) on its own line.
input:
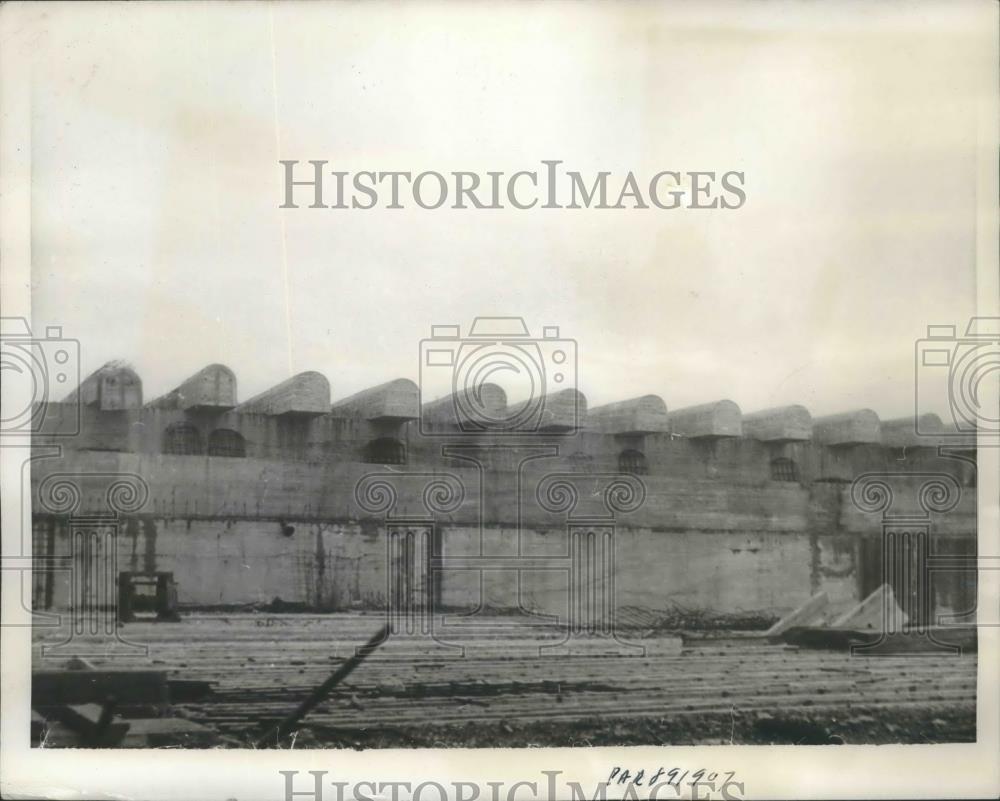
(261, 666)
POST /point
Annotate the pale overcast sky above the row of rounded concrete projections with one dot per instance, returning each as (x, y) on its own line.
(157, 237)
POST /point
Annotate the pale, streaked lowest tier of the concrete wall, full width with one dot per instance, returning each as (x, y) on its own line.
(344, 565)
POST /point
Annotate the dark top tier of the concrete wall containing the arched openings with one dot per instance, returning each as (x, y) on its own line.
(332, 439)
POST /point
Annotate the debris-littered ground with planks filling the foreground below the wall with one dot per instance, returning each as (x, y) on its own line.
(707, 690)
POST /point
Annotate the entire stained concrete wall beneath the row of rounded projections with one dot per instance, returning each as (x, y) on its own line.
(713, 530)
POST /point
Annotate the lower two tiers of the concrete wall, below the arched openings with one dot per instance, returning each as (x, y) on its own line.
(222, 527)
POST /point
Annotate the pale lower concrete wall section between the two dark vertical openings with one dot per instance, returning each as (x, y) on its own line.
(715, 570)
